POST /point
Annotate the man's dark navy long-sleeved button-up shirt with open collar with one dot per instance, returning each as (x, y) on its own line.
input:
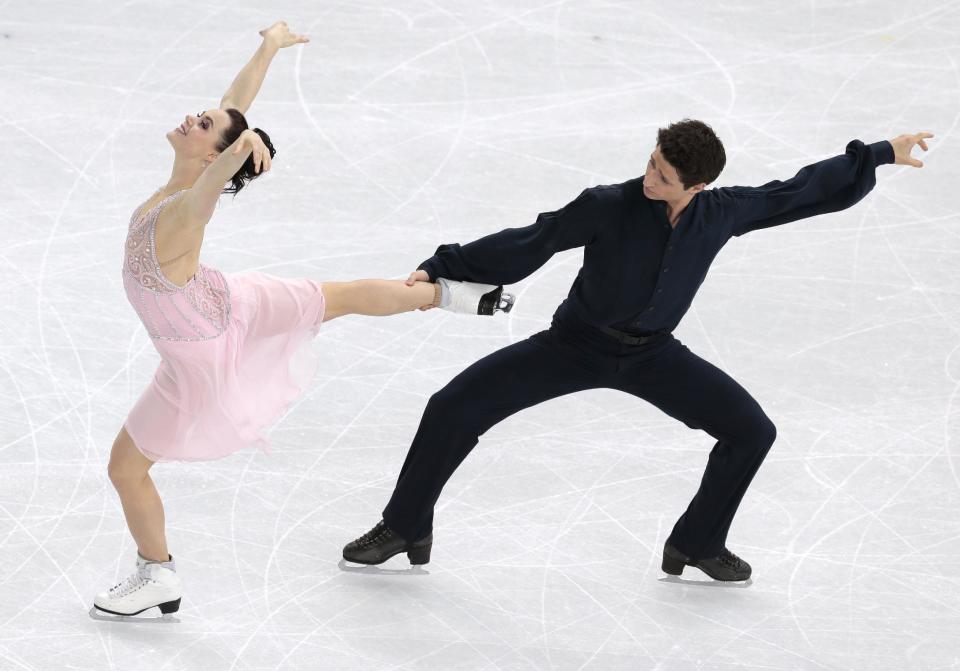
(639, 274)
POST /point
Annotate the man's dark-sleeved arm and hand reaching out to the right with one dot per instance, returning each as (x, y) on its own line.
(826, 186)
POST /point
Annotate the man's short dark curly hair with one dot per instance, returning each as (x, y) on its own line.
(694, 150)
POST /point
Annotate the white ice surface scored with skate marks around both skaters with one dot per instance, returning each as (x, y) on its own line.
(408, 124)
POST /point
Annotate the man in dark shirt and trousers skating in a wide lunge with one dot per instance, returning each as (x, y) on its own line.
(647, 246)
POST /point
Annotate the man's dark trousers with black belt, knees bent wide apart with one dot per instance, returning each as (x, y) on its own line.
(573, 356)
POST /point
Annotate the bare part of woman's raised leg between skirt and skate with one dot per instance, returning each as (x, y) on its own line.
(375, 297)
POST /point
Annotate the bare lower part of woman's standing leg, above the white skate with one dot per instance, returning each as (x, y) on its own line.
(128, 471)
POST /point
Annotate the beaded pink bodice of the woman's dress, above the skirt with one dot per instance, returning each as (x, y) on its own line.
(198, 310)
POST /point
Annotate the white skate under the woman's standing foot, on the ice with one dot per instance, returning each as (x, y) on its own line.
(151, 585)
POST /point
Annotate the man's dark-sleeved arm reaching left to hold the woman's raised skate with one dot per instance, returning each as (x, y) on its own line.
(514, 253)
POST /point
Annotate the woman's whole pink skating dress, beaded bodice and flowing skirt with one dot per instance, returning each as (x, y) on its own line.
(235, 351)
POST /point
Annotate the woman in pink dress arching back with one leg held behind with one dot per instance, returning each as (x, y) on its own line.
(234, 347)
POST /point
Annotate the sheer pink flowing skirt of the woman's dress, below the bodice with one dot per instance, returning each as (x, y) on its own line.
(210, 398)
